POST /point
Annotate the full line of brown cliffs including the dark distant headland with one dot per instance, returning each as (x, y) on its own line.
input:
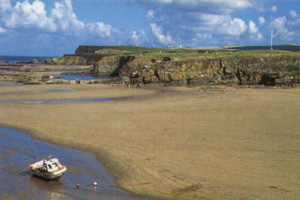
(147, 68)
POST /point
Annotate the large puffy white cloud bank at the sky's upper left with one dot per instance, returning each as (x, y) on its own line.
(61, 18)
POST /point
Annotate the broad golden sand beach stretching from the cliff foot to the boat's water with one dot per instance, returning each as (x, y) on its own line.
(174, 143)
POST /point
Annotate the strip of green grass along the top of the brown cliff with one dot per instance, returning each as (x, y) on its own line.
(183, 54)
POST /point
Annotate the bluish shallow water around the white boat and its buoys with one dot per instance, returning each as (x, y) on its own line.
(18, 150)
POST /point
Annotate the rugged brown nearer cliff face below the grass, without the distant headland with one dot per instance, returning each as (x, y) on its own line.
(229, 71)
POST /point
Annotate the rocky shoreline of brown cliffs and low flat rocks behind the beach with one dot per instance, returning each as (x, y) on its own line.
(163, 69)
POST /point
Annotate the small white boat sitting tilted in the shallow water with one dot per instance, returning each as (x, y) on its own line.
(50, 169)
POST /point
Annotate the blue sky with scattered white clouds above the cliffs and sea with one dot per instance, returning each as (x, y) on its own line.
(57, 27)
